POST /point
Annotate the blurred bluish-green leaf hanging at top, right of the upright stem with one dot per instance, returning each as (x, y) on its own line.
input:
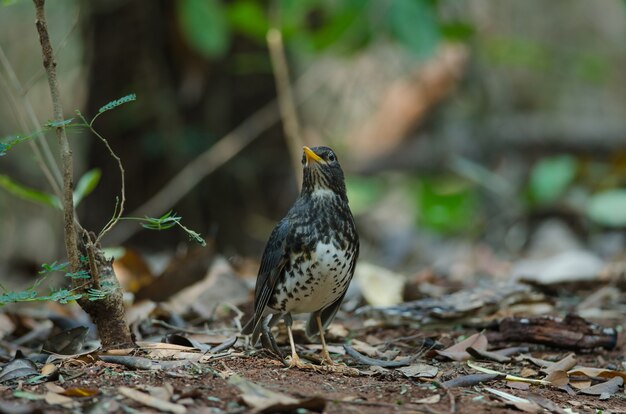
(413, 23)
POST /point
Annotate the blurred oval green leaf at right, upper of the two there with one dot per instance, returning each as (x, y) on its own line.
(550, 177)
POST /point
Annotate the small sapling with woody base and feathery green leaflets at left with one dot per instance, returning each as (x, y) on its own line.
(92, 280)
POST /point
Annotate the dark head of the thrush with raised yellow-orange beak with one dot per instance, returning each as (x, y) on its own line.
(322, 172)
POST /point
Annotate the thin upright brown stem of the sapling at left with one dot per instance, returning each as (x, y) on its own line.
(71, 240)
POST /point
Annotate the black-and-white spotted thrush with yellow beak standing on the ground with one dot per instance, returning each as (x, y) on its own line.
(309, 258)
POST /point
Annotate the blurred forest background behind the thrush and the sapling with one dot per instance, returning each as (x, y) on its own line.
(473, 133)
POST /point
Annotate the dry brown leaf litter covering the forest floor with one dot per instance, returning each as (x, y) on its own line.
(190, 356)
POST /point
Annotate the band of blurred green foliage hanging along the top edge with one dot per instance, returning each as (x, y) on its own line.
(311, 26)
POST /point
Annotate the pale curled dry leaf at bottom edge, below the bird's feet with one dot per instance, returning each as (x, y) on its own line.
(262, 400)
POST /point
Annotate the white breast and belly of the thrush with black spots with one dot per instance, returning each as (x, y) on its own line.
(311, 285)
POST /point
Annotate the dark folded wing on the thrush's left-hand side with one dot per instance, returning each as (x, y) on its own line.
(273, 261)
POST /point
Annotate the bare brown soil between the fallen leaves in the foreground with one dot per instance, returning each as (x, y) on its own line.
(208, 386)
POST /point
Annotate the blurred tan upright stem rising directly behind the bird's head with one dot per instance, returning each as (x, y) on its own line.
(284, 92)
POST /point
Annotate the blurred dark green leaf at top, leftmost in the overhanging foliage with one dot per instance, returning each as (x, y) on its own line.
(204, 26)
